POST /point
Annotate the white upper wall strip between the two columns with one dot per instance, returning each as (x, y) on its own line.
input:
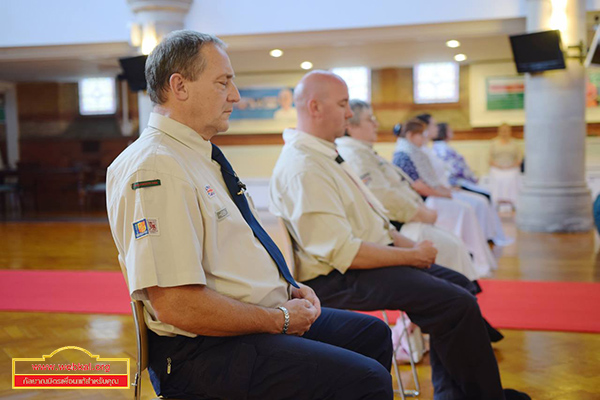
(239, 17)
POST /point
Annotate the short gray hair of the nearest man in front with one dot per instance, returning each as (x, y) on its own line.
(178, 52)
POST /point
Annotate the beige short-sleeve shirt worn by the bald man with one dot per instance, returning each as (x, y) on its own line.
(324, 210)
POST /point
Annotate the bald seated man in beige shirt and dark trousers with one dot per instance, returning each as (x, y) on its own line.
(349, 254)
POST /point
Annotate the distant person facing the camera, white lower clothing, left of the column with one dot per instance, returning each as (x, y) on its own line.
(505, 162)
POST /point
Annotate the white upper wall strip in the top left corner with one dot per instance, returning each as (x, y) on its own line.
(60, 22)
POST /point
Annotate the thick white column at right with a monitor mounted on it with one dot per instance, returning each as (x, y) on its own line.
(555, 196)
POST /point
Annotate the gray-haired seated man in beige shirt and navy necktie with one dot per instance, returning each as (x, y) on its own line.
(226, 319)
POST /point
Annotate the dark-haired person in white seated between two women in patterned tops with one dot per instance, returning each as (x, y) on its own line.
(486, 212)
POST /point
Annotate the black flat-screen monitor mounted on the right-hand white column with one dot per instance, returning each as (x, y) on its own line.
(537, 52)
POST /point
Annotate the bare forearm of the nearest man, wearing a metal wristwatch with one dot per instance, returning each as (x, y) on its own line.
(200, 310)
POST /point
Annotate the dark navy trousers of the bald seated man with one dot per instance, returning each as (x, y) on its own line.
(441, 302)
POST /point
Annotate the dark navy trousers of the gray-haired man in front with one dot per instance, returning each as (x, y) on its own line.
(343, 356)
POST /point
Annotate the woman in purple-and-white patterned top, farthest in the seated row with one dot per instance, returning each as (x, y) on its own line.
(460, 174)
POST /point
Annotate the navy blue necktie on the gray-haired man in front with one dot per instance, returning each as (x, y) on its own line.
(236, 189)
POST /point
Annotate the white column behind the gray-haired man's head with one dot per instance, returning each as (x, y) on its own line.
(154, 19)
